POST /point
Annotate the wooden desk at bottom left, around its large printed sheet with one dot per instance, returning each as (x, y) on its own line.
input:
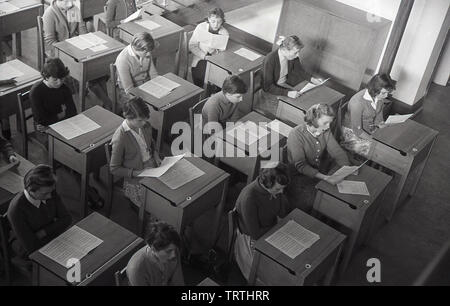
(99, 266)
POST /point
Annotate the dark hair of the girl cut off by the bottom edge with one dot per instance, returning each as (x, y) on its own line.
(160, 235)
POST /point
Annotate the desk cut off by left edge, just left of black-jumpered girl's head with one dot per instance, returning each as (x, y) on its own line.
(8, 93)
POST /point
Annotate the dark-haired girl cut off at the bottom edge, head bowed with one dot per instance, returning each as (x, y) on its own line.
(158, 263)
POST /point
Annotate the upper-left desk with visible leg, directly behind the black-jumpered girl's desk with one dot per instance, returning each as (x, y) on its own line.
(86, 65)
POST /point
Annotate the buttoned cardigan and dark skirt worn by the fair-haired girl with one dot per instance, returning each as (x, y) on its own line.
(306, 157)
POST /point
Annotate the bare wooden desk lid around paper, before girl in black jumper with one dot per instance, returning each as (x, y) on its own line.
(108, 122)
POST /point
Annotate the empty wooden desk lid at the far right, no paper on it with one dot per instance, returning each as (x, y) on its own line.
(409, 137)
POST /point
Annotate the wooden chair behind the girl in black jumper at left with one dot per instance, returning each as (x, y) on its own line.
(23, 103)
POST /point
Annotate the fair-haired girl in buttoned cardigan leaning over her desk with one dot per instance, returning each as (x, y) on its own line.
(306, 146)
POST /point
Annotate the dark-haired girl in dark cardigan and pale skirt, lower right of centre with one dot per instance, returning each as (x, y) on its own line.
(259, 206)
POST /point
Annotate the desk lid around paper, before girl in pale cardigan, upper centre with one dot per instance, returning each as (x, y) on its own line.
(178, 95)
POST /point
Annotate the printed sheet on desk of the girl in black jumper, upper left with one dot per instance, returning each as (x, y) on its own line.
(75, 126)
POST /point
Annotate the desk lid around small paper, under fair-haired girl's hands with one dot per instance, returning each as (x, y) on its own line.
(376, 181)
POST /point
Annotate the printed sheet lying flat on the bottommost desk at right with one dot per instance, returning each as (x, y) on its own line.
(292, 239)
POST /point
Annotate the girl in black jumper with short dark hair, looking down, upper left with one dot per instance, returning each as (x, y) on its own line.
(51, 99)
